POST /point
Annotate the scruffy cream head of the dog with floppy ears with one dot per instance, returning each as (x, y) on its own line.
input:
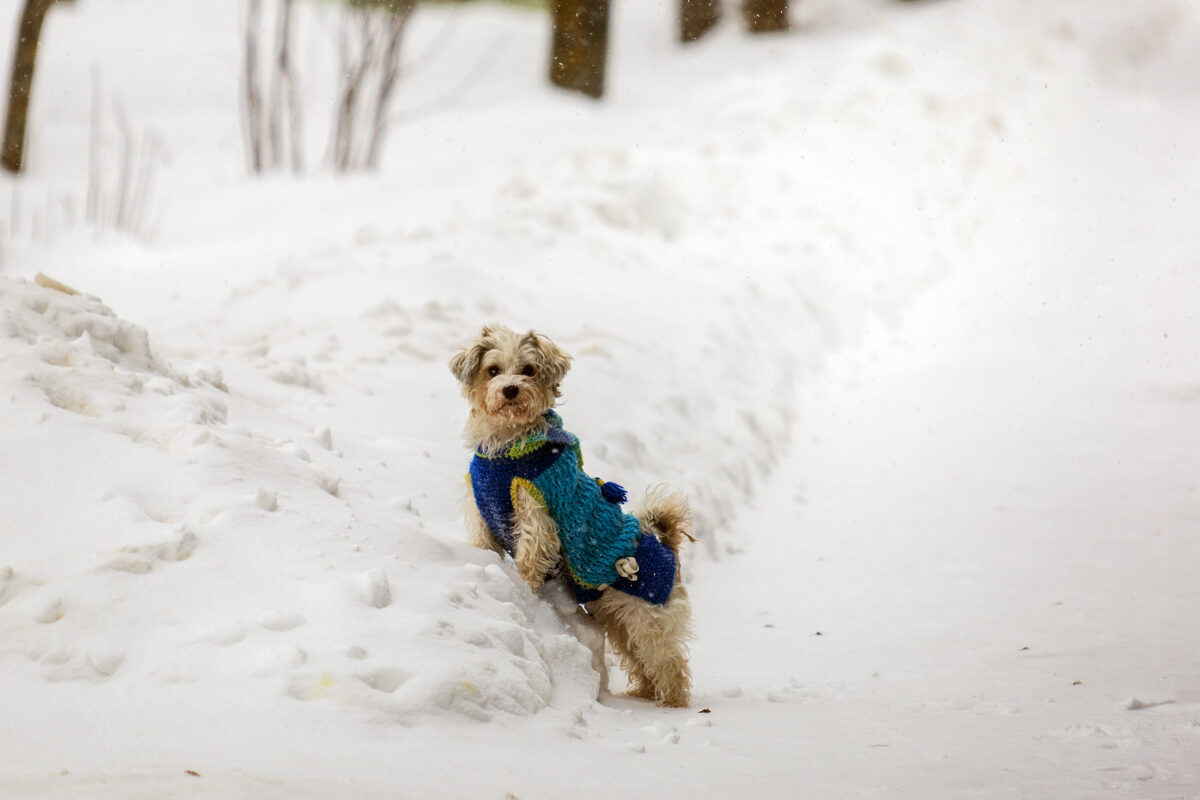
(511, 381)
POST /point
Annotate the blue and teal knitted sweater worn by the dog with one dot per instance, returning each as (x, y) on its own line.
(593, 531)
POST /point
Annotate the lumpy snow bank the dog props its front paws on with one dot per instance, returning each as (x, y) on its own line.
(163, 532)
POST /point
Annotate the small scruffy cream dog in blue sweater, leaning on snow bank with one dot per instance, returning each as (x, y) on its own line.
(530, 500)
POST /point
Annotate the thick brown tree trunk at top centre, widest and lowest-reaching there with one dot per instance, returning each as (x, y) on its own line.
(580, 47)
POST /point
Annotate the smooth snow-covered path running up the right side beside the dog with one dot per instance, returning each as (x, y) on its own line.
(976, 578)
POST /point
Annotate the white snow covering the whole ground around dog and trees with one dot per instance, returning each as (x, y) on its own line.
(904, 299)
